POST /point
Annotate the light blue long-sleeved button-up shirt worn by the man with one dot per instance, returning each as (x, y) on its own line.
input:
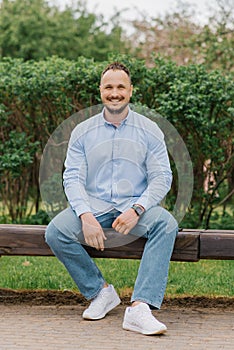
(110, 167)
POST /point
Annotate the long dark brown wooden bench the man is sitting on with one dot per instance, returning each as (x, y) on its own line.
(190, 245)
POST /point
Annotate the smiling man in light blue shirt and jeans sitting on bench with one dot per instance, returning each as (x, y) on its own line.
(116, 174)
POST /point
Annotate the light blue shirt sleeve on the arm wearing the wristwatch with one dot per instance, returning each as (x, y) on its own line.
(159, 174)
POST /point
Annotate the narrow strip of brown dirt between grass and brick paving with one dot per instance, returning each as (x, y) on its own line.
(45, 297)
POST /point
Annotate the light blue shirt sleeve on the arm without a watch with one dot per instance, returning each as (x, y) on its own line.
(74, 177)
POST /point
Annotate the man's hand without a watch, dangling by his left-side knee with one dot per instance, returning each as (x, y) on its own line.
(93, 232)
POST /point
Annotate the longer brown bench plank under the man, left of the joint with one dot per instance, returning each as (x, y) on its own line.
(29, 240)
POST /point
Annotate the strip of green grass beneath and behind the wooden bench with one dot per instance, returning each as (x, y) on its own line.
(204, 278)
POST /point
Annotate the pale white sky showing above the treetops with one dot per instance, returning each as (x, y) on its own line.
(152, 8)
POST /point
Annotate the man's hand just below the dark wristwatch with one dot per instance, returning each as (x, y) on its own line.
(126, 221)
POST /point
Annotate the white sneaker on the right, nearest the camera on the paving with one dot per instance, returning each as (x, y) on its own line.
(139, 319)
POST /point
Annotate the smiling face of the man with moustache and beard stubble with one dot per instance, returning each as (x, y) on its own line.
(116, 90)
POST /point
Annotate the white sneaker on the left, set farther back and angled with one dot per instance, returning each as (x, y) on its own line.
(106, 300)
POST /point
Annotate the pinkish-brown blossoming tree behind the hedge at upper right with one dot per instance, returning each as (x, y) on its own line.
(179, 37)
